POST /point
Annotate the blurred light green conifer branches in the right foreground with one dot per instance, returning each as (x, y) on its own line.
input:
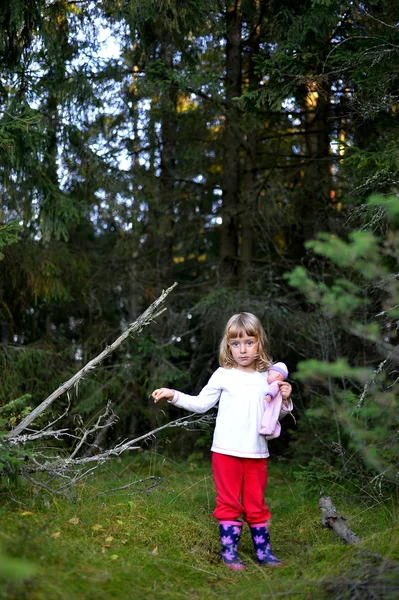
(368, 418)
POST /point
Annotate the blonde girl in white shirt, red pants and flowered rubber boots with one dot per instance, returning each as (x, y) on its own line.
(239, 452)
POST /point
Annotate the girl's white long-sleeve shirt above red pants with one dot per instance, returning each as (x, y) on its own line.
(241, 405)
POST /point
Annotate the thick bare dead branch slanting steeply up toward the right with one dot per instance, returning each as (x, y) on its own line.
(146, 318)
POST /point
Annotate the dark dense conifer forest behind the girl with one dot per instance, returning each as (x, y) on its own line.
(231, 147)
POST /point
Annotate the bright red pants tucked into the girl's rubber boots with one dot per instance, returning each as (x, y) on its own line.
(240, 486)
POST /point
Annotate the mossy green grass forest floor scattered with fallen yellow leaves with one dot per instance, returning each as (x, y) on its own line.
(163, 543)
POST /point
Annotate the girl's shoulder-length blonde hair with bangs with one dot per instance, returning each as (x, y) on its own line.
(238, 326)
